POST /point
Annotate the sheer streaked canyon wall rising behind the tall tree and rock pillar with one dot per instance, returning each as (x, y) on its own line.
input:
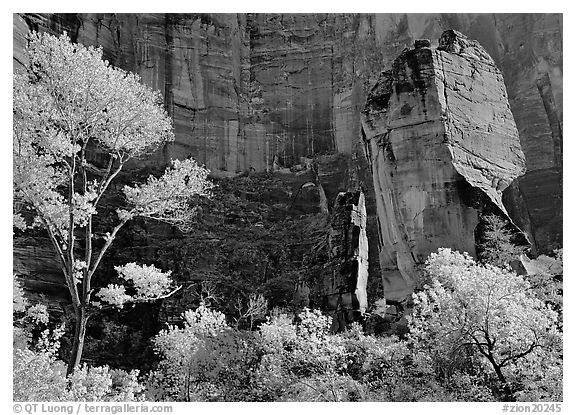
(276, 92)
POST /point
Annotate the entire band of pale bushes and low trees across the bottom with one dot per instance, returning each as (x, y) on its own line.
(477, 333)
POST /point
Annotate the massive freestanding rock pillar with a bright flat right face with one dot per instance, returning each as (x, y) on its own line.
(443, 146)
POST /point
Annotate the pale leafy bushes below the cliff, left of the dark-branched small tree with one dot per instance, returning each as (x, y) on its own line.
(300, 360)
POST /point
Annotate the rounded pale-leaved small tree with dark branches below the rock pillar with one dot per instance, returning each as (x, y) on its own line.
(490, 316)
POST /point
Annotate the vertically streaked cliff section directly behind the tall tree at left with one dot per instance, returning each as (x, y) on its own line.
(201, 65)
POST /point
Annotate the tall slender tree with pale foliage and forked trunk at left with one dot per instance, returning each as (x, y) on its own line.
(77, 122)
